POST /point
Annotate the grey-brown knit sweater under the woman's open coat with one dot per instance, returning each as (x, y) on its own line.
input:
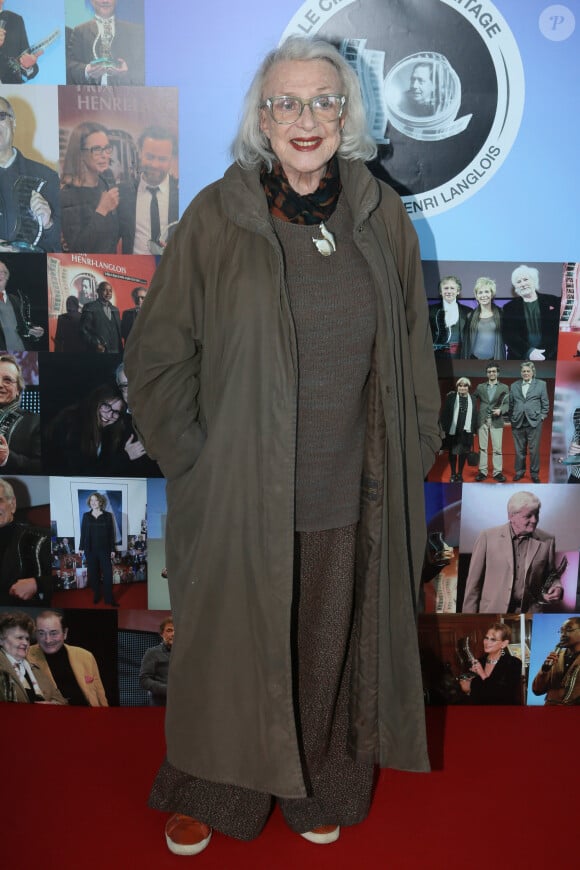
(334, 310)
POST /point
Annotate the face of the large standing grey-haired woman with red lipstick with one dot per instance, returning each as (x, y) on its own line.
(305, 147)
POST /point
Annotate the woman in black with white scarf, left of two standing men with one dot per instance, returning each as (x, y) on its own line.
(459, 424)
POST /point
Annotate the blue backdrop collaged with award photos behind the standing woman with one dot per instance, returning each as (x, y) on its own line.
(96, 119)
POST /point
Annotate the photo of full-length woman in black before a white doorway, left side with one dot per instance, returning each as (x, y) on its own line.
(105, 518)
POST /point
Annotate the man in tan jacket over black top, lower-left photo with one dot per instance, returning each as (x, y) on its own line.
(72, 669)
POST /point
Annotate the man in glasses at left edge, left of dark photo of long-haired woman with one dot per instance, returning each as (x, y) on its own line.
(19, 429)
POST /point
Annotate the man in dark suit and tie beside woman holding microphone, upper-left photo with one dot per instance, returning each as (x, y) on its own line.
(149, 208)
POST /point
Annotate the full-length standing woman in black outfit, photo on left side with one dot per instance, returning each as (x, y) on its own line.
(97, 543)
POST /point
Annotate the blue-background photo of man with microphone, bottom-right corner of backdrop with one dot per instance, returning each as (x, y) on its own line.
(555, 660)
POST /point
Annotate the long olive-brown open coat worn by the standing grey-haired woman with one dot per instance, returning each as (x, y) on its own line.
(212, 368)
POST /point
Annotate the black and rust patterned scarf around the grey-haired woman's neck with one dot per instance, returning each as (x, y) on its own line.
(288, 205)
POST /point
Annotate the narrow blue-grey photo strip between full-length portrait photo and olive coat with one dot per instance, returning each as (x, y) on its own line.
(157, 585)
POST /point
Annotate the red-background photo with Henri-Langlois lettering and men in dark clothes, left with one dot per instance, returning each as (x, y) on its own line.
(93, 302)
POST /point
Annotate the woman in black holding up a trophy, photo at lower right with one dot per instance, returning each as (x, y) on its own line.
(495, 678)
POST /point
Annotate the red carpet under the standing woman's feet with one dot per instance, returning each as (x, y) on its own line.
(75, 785)
